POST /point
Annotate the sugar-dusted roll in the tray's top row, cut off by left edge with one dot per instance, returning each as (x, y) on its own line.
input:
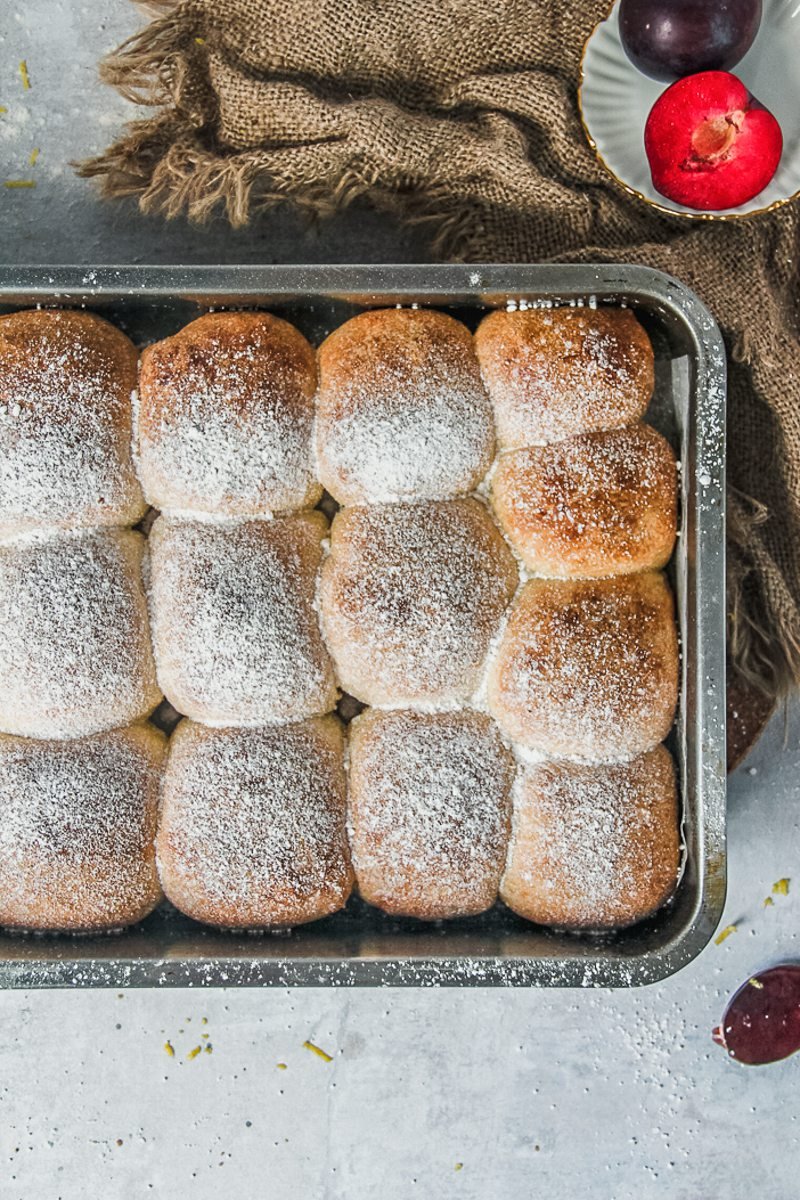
(67, 381)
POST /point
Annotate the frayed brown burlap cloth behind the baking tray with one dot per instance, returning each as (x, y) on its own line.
(462, 115)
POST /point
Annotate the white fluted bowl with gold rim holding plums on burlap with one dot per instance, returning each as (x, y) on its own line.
(616, 100)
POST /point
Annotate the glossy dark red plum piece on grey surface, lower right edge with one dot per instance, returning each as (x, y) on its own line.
(762, 1022)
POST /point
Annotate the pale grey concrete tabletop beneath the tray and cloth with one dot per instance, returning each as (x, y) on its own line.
(471, 1095)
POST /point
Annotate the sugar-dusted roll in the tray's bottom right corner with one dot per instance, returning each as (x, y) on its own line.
(594, 847)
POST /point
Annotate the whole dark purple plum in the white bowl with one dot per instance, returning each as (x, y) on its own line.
(670, 39)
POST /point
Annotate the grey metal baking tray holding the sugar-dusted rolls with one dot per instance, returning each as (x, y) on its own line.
(363, 946)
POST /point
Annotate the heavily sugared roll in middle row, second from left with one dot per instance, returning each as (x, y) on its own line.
(234, 622)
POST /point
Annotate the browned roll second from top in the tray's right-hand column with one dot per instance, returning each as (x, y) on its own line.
(596, 505)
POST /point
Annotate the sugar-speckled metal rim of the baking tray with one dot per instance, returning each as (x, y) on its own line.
(446, 285)
